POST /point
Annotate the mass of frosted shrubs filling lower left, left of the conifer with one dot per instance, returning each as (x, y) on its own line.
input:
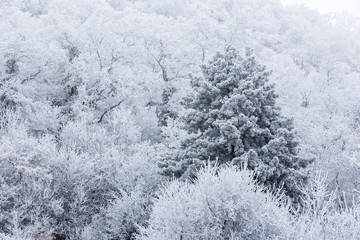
(63, 191)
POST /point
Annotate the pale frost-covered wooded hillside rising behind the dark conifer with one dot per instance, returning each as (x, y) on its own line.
(59, 59)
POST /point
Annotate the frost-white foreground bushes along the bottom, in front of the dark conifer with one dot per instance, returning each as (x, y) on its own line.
(228, 204)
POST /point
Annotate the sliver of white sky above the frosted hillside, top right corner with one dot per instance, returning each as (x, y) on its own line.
(324, 6)
